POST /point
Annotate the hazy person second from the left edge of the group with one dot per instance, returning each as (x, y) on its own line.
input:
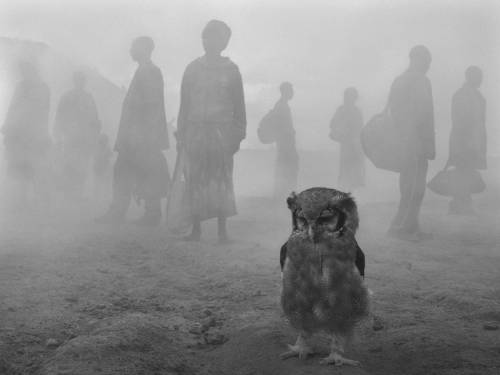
(77, 128)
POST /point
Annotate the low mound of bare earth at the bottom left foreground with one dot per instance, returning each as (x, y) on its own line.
(131, 344)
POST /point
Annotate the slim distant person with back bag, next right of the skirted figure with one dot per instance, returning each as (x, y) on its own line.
(287, 158)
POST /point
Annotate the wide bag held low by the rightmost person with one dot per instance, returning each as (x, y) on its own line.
(452, 182)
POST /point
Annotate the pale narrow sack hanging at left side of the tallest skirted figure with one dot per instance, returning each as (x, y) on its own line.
(178, 211)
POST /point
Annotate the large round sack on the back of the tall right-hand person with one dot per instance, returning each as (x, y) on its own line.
(382, 143)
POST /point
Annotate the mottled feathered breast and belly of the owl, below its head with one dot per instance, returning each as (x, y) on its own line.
(320, 286)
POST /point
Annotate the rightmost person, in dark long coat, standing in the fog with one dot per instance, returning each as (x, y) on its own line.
(467, 138)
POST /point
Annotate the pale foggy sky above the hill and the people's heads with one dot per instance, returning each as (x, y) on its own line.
(321, 46)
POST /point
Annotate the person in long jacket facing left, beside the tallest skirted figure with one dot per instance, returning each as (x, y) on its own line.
(141, 169)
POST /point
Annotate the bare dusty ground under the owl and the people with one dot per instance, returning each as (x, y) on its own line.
(77, 298)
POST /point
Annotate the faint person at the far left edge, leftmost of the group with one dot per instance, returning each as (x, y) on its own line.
(26, 133)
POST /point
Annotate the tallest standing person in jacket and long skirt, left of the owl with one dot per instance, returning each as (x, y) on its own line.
(211, 125)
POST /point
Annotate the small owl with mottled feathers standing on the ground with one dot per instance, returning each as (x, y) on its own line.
(322, 272)
